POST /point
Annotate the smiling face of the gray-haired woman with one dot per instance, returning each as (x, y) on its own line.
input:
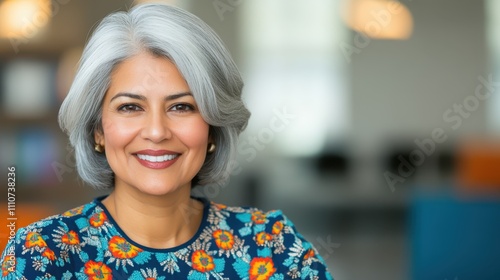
(154, 137)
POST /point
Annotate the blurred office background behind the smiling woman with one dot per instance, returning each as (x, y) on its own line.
(373, 127)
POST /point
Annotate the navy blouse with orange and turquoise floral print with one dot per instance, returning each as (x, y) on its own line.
(231, 243)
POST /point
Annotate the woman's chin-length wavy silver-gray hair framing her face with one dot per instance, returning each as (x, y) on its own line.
(200, 57)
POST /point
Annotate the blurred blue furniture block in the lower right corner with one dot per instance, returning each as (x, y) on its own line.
(455, 237)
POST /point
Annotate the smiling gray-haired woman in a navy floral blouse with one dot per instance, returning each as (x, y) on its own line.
(155, 108)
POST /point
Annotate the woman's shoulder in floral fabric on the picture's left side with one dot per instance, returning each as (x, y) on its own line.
(45, 246)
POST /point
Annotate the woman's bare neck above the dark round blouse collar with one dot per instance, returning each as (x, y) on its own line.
(155, 221)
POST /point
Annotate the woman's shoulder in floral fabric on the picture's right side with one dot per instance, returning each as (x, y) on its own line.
(266, 239)
